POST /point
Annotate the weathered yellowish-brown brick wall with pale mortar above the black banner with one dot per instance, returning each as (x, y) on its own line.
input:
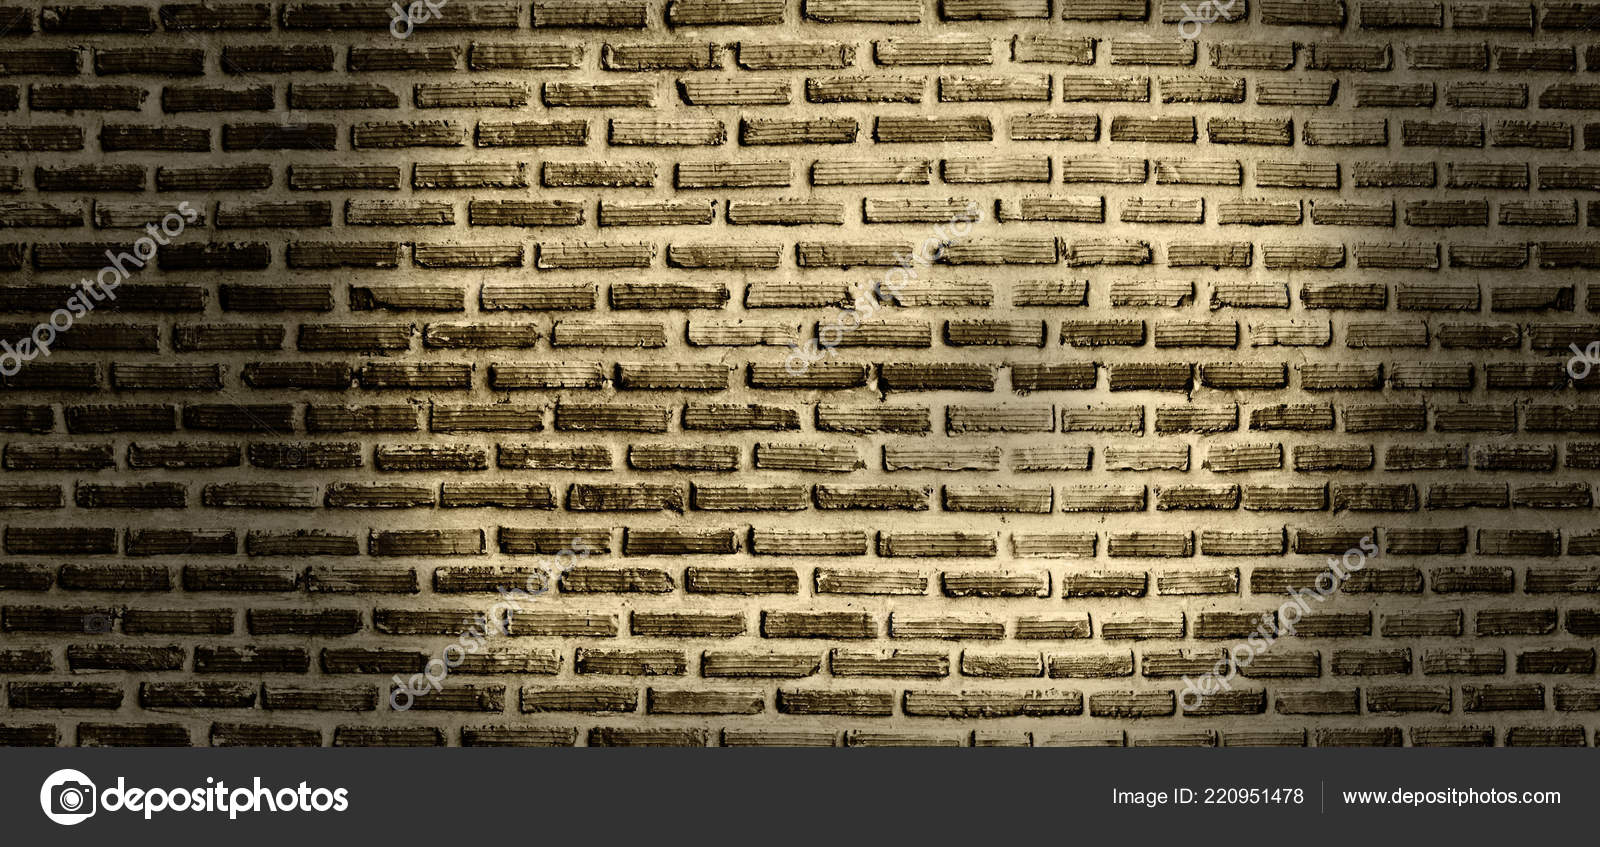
(438, 307)
